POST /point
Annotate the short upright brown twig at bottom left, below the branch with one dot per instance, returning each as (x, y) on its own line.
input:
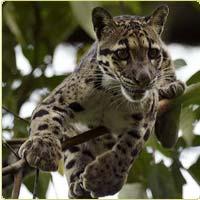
(17, 184)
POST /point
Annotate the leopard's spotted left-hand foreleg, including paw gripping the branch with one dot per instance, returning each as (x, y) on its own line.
(49, 120)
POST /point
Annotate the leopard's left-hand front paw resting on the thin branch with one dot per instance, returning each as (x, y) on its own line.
(43, 152)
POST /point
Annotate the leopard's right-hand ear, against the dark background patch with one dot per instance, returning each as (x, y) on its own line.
(158, 18)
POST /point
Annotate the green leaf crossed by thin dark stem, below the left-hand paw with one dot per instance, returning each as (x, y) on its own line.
(43, 184)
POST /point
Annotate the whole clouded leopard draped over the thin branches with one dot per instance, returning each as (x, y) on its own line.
(117, 84)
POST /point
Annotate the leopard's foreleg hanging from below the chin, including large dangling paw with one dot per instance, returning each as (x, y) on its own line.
(108, 172)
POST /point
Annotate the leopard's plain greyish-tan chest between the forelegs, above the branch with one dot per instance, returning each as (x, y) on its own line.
(117, 116)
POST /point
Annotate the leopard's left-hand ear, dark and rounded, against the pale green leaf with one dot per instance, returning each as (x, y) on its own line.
(102, 21)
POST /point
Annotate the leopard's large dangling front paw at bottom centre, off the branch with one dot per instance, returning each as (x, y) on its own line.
(104, 176)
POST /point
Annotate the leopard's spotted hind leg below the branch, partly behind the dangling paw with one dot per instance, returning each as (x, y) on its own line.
(78, 157)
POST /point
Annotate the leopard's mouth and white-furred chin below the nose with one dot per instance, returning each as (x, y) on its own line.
(132, 94)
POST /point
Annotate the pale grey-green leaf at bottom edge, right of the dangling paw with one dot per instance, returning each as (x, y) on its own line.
(133, 191)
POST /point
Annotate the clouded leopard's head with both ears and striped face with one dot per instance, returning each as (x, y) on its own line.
(130, 50)
